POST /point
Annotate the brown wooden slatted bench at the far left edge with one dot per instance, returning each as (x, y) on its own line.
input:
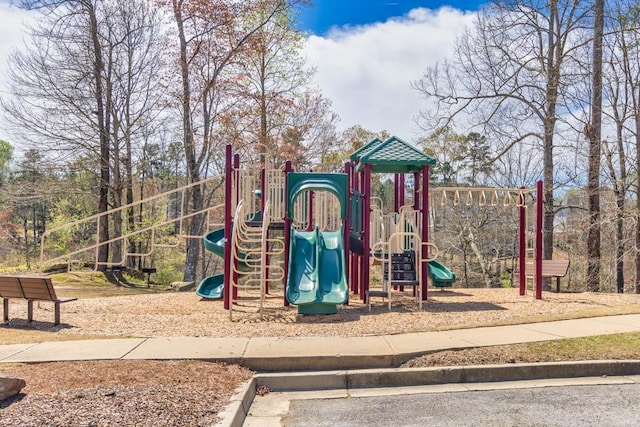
(31, 288)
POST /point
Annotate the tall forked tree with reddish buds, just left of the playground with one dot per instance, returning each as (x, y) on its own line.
(210, 36)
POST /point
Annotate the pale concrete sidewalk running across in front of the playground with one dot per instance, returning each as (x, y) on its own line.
(314, 353)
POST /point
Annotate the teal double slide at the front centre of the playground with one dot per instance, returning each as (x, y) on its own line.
(317, 281)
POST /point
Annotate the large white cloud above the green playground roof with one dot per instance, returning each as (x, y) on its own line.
(366, 70)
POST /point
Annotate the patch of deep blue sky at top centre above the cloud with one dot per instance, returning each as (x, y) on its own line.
(324, 14)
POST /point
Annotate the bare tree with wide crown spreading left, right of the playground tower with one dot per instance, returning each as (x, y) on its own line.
(506, 75)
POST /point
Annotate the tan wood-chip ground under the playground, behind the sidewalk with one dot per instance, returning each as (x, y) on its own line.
(186, 314)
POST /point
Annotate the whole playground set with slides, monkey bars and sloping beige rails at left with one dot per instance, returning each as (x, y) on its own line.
(320, 234)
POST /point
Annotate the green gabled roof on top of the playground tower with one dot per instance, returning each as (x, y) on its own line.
(394, 156)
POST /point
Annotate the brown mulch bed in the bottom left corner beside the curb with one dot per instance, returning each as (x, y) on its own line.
(120, 393)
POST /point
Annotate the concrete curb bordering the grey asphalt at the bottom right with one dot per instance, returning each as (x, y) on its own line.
(236, 412)
